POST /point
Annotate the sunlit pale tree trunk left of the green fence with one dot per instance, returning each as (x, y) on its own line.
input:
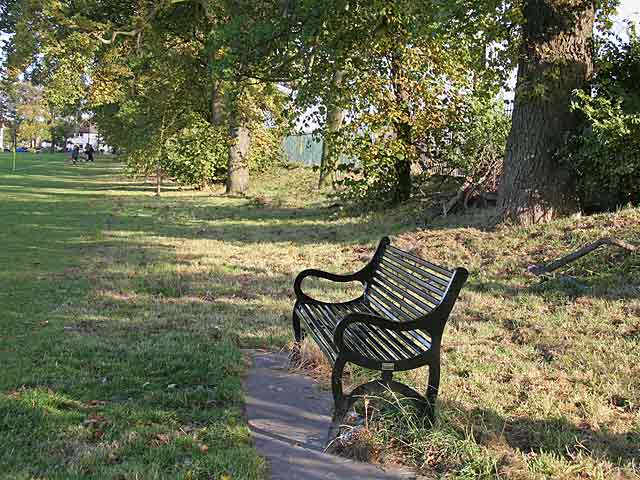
(238, 166)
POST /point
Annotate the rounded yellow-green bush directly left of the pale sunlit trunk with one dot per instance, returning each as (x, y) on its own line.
(197, 154)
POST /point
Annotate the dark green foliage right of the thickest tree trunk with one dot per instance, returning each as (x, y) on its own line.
(605, 152)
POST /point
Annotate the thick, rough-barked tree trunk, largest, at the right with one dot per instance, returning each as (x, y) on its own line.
(556, 59)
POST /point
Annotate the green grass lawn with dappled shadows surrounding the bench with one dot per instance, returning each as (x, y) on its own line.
(122, 317)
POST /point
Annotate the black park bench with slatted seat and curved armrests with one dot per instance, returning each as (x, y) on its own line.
(395, 325)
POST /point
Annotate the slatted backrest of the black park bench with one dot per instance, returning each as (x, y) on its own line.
(405, 287)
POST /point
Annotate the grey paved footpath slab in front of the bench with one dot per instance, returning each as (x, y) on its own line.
(289, 418)
